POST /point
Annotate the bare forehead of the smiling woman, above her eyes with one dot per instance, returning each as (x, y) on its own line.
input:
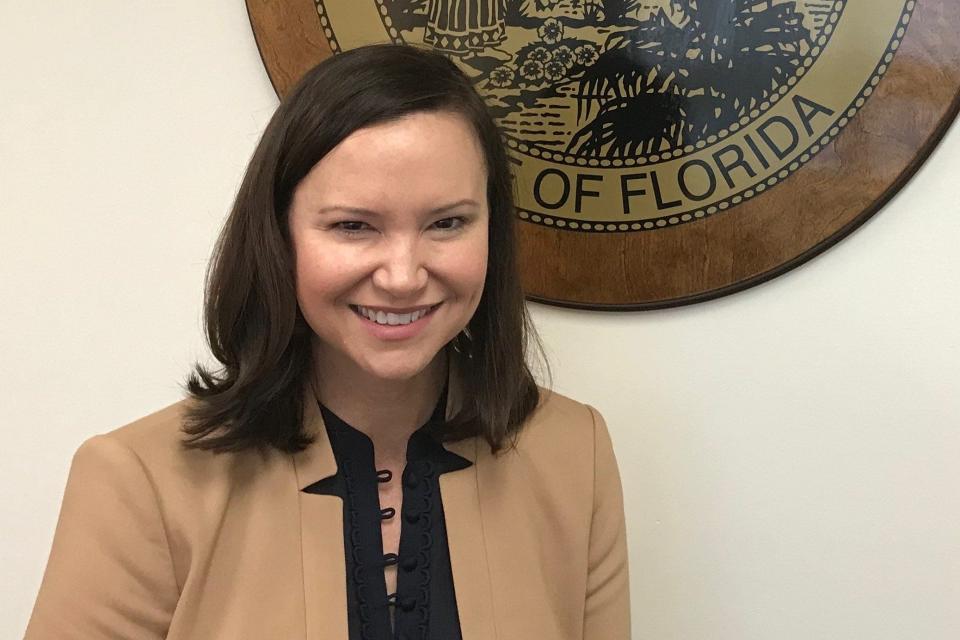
(410, 162)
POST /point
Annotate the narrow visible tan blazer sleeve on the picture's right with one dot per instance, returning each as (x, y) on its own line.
(607, 608)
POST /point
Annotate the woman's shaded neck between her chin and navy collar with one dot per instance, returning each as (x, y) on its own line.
(387, 411)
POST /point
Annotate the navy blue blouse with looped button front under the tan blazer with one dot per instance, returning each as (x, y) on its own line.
(424, 605)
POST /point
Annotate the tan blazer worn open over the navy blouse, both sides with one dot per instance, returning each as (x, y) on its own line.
(157, 541)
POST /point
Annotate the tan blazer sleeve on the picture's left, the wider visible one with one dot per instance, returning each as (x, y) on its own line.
(110, 573)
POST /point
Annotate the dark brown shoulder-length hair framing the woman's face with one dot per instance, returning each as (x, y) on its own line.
(255, 398)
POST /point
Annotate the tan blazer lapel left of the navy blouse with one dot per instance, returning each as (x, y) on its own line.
(321, 536)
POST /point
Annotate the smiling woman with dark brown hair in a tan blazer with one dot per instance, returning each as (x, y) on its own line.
(373, 458)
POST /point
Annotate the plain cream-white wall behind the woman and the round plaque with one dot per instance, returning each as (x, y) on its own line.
(790, 453)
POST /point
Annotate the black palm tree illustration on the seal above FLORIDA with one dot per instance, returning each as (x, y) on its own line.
(664, 85)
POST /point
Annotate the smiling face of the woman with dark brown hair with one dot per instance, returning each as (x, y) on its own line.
(389, 234)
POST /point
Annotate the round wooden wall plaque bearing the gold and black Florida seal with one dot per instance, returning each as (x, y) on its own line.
(672, 151)
